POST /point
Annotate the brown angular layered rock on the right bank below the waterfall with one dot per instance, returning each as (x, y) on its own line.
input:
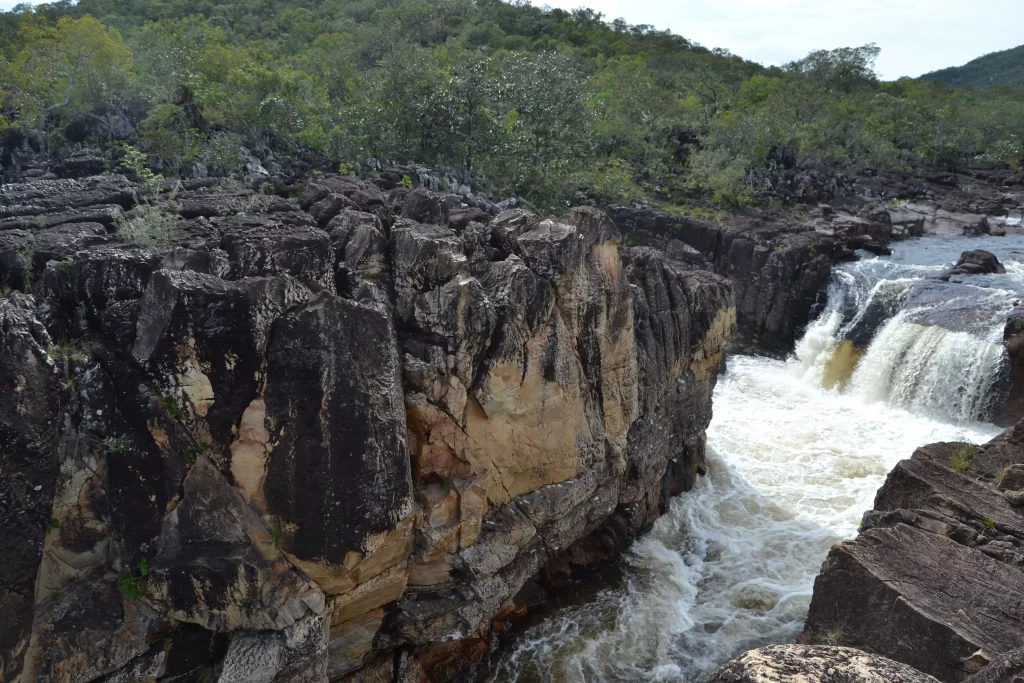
(934, 580)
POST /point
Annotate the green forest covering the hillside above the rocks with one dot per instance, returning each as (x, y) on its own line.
(539, 103)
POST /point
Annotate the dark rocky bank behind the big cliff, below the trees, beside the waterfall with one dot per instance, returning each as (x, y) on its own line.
(781, 264)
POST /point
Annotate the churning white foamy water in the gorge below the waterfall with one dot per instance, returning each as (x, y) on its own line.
(733, 566)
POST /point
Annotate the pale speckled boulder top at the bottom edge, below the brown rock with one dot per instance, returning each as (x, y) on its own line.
(816, 664)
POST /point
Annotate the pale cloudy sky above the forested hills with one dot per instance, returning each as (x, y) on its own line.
(916, 36)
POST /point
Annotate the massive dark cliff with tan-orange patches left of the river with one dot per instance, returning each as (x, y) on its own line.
(330, 438)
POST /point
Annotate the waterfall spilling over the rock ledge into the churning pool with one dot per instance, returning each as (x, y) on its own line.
(892, 334)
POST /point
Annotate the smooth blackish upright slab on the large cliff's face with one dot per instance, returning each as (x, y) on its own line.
(335, 459)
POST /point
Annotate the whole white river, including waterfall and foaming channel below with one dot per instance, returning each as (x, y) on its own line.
(797, 451)
